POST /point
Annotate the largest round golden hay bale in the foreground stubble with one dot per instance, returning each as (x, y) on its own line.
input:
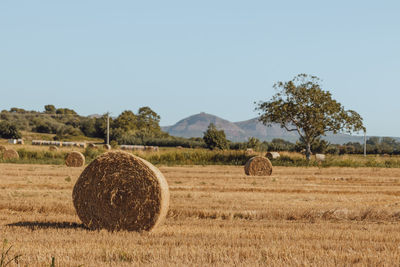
(120, 191)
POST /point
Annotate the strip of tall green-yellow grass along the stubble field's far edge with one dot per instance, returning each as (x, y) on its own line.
(173, 157)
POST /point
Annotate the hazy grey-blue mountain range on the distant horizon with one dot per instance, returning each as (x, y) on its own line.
(196, 125)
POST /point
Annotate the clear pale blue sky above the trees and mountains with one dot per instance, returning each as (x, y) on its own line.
(185, 57)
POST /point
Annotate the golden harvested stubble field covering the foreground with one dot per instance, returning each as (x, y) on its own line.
(218, 216)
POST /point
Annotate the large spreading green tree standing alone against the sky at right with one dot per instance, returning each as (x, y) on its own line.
(301, 105)
